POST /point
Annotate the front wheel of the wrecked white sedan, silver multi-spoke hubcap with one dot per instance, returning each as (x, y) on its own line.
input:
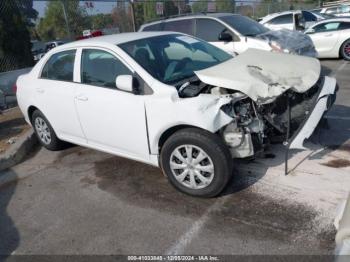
(196, 162)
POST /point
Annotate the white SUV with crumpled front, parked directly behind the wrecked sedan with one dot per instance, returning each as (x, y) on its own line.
(235, 34)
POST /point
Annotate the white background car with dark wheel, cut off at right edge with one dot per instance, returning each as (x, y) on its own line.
(331, 38)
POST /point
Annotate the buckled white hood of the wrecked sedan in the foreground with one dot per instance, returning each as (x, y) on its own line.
(263, 75)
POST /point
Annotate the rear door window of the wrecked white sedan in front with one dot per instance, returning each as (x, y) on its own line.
(60, 66)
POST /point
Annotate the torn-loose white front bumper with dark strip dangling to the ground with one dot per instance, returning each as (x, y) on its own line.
(324, 101)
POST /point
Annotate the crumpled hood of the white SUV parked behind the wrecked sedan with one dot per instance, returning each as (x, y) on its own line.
(294, 41)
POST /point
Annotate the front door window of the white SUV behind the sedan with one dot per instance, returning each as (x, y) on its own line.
(208, 29)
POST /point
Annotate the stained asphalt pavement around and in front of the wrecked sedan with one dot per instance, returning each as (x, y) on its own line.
(81, 201)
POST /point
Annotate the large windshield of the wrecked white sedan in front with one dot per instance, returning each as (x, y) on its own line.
(173, 58)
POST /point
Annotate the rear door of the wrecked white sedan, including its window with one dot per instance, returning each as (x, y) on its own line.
(55, 90)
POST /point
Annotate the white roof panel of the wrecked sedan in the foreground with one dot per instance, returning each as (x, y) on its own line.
(111, 39)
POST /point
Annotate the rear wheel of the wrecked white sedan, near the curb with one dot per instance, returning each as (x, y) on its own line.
(45, 133)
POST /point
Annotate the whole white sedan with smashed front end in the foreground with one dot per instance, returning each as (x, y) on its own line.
(173, 101)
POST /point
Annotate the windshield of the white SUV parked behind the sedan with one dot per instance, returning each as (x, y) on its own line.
(244, 25)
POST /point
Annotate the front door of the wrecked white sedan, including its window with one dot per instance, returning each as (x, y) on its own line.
(112, 120)
